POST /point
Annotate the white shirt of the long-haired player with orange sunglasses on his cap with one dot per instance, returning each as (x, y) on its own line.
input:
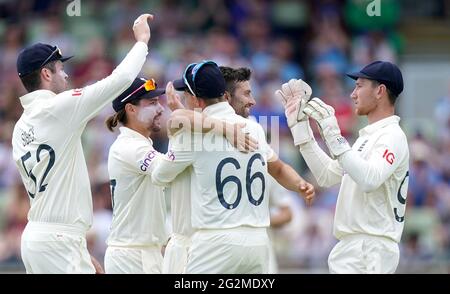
(139, 207)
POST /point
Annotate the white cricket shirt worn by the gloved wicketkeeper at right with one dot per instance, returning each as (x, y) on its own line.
(372, 196)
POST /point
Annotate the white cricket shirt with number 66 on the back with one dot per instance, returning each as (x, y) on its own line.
(228, 187)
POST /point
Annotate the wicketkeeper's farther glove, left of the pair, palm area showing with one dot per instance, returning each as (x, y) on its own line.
(294, 95)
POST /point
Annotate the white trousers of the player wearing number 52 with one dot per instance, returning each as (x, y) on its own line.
(50, 248)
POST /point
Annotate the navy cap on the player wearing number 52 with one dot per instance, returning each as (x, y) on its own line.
(36, 56)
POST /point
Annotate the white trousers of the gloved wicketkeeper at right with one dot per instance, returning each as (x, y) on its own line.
(364, 254)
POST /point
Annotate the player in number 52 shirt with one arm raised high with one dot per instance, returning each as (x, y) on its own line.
(48, 153)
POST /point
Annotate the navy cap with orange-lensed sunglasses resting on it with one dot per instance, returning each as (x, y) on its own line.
(137, 91)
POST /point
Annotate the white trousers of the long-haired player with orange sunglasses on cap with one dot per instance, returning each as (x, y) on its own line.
(133, 260)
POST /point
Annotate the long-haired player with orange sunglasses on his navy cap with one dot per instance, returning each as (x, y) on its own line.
(138, 229)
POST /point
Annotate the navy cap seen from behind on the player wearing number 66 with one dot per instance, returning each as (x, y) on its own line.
(204, 78)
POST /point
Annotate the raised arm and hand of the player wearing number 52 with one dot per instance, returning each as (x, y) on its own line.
(80, 105)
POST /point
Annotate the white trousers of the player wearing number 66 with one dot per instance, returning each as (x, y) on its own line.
(242, 250)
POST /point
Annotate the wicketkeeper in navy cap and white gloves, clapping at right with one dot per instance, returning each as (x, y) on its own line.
(370, 210)
